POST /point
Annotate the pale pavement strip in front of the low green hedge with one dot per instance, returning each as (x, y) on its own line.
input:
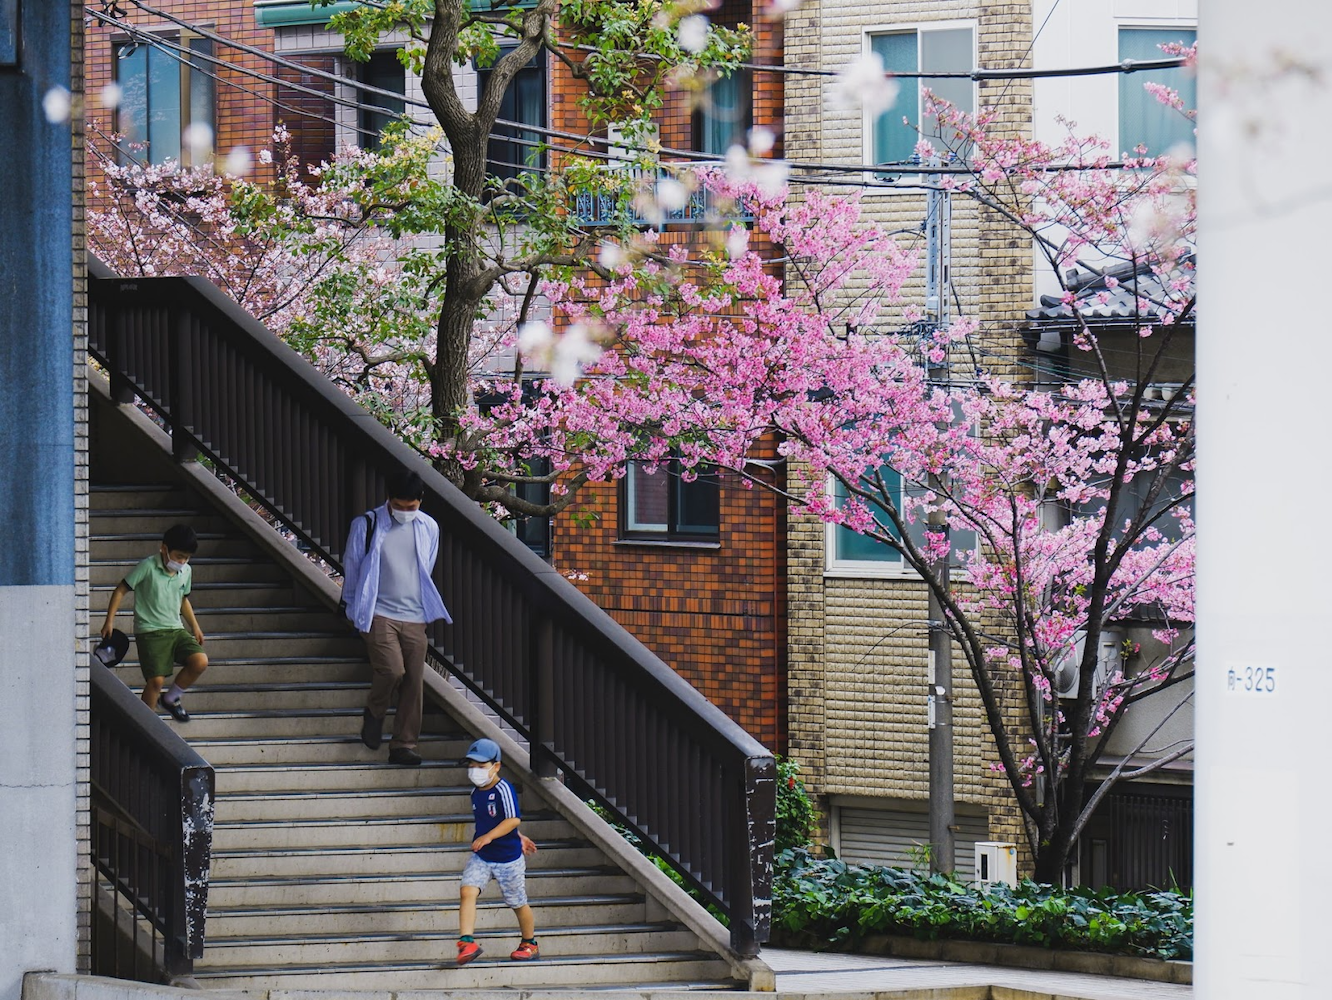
(833, 973)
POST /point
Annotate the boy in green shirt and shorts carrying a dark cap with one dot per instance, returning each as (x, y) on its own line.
(162, 600)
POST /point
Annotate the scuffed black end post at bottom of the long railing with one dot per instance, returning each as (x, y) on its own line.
(752, 865)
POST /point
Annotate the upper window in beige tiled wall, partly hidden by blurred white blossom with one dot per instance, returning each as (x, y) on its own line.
(945, 50)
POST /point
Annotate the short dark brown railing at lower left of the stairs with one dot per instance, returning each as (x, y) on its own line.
(153, 836)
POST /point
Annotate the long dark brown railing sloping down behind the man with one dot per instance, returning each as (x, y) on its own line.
(592, 701)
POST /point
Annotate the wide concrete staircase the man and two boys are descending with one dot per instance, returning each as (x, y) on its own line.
(331, 868)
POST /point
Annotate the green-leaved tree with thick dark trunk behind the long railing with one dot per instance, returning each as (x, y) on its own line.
(503, 238)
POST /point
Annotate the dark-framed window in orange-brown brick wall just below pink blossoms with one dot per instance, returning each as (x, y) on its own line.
(661, 505)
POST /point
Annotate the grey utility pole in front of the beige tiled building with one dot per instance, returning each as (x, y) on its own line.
(940, 665)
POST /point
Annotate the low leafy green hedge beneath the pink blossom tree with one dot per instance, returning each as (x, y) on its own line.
(844, 903)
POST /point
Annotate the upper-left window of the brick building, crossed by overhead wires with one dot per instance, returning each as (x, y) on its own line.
(163, 94)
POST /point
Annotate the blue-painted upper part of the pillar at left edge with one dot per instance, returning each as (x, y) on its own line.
(37, 310)
